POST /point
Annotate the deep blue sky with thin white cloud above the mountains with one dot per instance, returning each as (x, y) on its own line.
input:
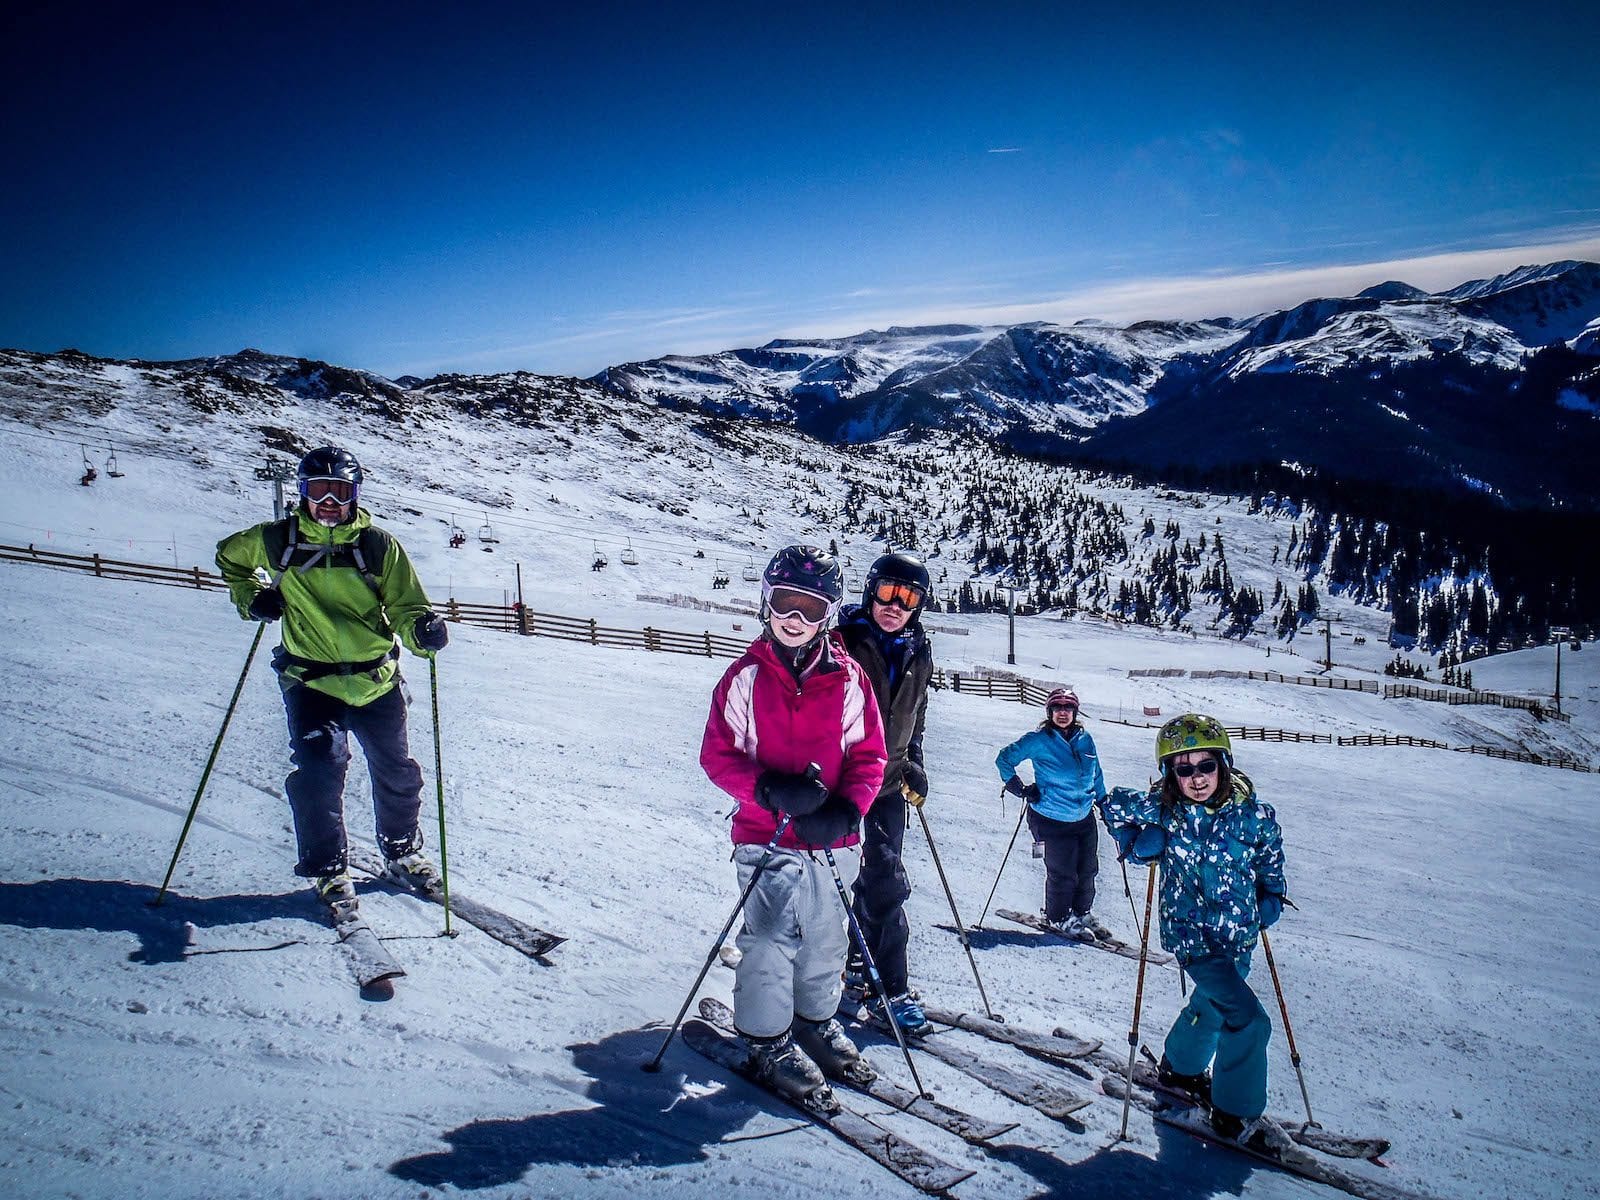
(535, 188)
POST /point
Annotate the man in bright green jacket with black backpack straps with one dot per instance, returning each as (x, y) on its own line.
(345, 591)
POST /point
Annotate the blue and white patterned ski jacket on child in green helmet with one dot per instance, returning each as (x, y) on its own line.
(1215, 866)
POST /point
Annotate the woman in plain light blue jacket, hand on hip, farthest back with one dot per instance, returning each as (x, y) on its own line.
(1062, 799)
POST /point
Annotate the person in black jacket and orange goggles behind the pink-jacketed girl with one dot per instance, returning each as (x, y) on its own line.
(884, 634)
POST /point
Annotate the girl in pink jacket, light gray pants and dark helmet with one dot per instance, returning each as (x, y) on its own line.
(796, 702)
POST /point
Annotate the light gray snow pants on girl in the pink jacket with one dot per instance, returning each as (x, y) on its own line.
(793, 940)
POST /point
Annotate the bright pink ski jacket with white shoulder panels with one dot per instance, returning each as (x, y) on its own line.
(762, 721)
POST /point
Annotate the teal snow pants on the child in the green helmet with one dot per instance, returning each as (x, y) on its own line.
(1226, 1028)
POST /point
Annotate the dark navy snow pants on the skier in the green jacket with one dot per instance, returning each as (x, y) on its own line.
(321, 751)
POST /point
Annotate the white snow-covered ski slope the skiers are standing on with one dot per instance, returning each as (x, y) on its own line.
(1441, 969)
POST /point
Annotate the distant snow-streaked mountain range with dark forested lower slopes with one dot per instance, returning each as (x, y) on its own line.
(1393, 383)
